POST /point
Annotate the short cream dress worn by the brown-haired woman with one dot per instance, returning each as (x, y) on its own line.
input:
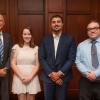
(26, 58)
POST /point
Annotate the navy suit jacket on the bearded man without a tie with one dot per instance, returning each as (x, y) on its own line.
(65, 56)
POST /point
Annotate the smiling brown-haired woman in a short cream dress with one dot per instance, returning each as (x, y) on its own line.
(25, 65)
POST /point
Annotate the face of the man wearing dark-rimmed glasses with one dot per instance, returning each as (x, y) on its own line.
(93, 30)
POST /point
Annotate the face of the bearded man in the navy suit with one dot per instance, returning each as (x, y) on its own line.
(56, 24)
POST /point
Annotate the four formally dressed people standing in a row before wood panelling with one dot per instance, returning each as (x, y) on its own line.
(54, 57)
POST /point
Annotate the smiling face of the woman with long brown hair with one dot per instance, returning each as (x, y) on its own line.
(26, 36)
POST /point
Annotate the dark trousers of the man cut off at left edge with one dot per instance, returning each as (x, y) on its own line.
(4, 88)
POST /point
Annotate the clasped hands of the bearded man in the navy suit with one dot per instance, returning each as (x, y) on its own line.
(56, 77)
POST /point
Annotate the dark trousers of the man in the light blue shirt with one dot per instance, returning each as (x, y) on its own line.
(89, 90)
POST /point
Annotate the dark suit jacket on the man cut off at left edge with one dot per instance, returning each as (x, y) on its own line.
(7, 49)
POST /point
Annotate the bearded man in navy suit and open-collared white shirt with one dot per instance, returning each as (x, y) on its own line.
(57, 54)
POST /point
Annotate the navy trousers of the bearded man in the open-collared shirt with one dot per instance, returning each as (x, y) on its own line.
(52, 90)
